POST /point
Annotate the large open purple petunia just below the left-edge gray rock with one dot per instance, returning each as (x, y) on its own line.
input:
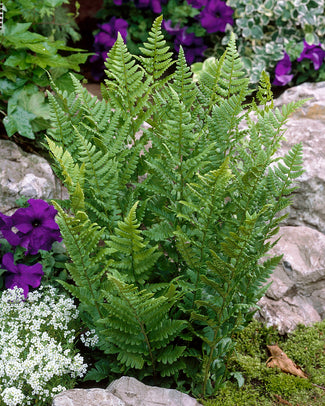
(37, 229)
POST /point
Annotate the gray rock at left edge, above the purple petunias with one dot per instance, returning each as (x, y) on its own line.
(23, 174)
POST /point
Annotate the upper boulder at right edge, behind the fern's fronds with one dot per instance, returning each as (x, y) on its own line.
(307, 126)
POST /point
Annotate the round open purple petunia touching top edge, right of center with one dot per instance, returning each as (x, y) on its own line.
(215, 16)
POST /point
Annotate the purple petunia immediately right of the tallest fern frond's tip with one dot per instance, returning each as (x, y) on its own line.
(193, 46)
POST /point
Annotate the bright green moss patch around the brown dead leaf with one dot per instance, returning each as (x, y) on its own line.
(266, 386)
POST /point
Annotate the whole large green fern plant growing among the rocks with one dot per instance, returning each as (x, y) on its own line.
(172, 206)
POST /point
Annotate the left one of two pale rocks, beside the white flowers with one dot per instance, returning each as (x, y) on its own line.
(86, 397)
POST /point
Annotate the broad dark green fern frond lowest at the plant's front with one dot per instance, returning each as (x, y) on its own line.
(138, 339)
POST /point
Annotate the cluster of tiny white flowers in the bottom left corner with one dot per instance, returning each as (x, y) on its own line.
(36, 346)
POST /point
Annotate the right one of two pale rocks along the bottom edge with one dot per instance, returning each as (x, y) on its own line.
(135, 393)
